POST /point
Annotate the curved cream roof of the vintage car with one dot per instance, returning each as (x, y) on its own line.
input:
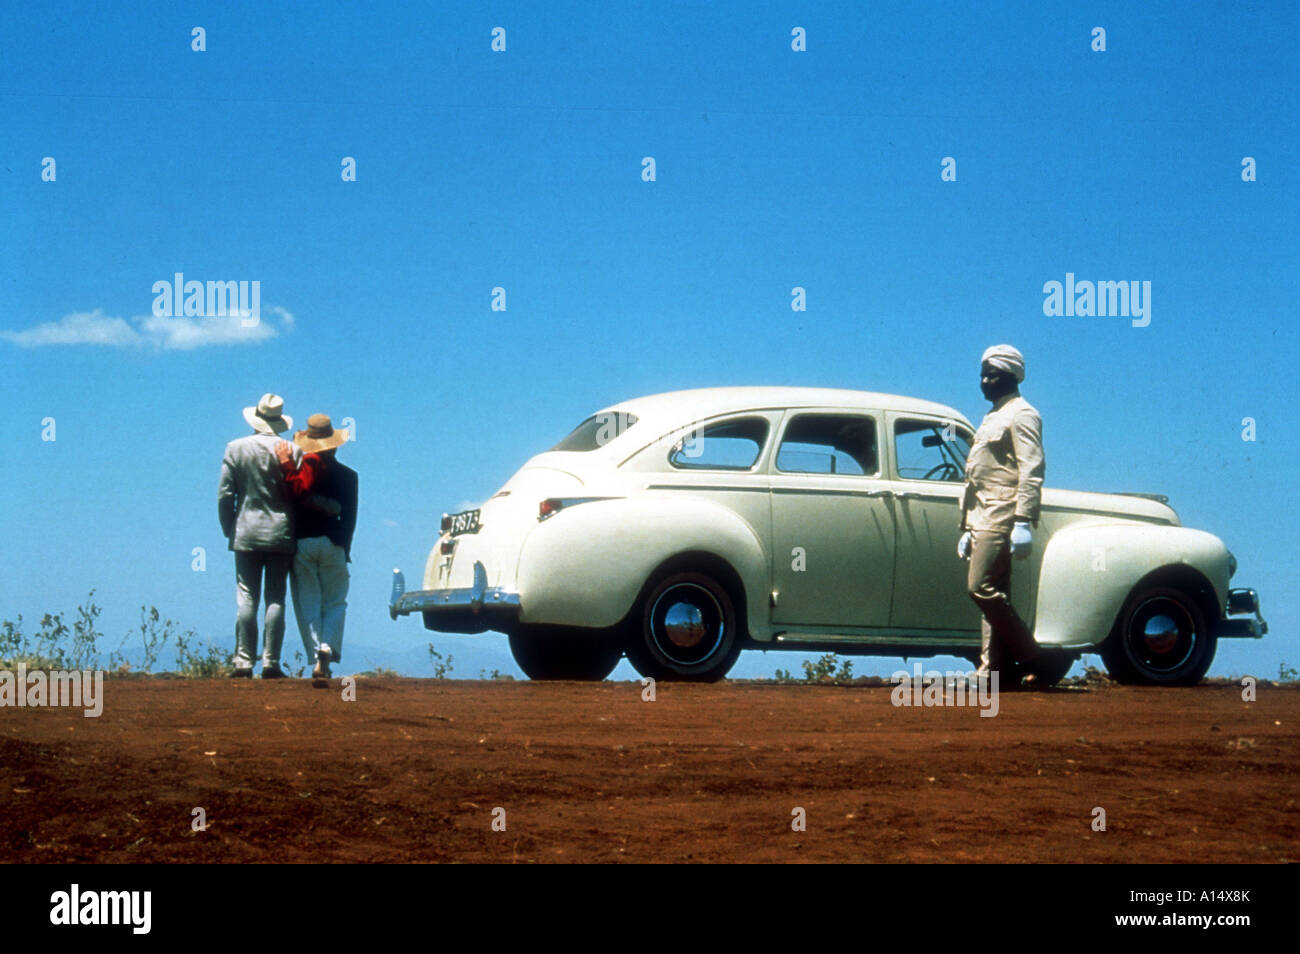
(709, 402)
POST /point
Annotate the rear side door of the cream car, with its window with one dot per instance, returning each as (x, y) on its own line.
(833, 526)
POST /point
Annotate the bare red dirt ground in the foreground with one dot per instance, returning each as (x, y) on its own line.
(413, 770)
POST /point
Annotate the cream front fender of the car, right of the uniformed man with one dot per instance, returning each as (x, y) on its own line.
(1090, 570)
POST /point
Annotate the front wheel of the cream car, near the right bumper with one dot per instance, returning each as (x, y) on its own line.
(1160, 639)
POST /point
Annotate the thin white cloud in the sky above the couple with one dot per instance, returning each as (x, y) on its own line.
(148, 331)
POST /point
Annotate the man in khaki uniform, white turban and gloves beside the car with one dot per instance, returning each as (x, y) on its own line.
(1004, 487)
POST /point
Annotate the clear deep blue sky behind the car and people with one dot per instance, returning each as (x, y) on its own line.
(522, 170)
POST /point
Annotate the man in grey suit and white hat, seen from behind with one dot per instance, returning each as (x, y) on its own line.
(257, 514)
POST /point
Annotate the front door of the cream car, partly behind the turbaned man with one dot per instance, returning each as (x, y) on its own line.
(930, 579)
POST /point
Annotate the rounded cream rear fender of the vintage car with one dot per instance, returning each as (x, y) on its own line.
(587, 565)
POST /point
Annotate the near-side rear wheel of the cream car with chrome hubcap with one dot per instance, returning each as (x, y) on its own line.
(687, 630)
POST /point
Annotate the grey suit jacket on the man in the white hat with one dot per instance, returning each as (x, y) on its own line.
(254, 502)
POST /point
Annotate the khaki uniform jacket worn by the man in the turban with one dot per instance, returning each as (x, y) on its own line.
(1006, 467)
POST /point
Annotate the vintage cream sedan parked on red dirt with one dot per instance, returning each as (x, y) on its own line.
(683, 528)
